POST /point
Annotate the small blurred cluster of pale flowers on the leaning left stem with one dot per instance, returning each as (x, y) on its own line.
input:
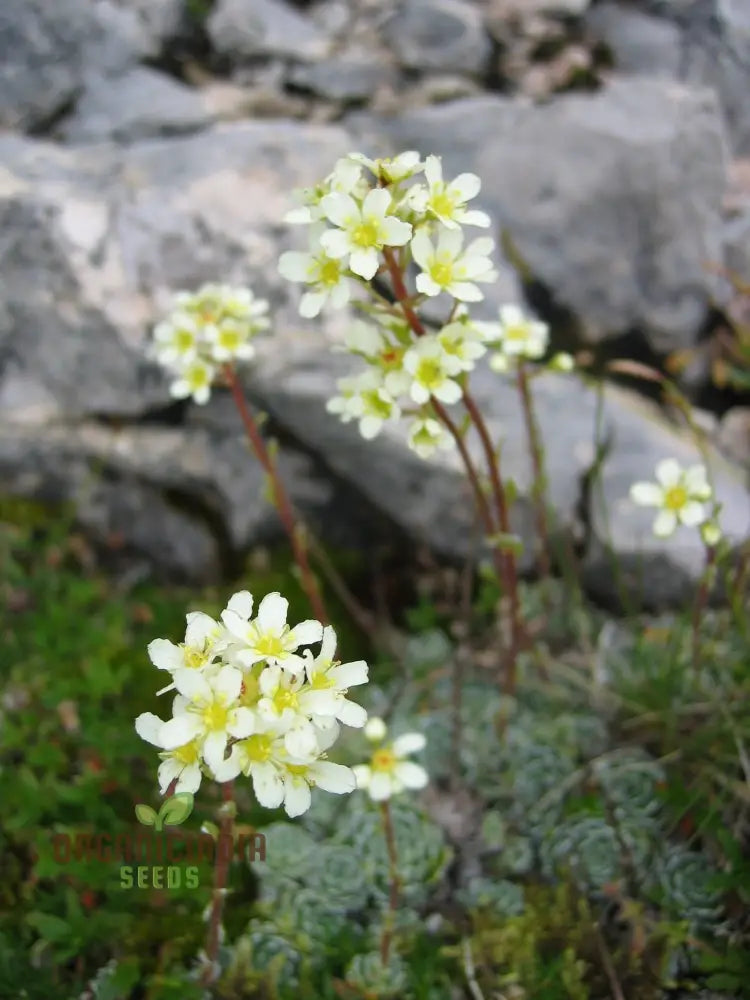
(206, 329)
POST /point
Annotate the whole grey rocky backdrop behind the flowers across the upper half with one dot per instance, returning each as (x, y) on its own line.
(150, 145)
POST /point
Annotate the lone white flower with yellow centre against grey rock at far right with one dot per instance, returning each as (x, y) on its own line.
(681, 495)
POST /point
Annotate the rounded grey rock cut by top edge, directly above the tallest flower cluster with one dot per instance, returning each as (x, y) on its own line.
(447, 35)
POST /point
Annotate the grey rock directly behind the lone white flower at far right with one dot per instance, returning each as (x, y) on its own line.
(624, 563)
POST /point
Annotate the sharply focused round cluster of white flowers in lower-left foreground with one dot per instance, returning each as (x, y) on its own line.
(251, 700)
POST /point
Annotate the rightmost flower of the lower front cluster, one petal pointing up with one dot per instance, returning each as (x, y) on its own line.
(329, 682)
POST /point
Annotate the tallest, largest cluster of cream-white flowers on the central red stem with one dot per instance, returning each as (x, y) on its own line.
(370, 217)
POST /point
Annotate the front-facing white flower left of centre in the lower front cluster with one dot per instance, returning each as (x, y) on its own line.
(210, 714)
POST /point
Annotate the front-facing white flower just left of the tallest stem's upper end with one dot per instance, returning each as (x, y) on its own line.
(363, 229)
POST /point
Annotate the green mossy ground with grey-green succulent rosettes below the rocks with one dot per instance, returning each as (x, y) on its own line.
(604, 845)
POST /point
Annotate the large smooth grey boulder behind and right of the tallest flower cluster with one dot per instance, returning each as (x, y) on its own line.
(613, 199)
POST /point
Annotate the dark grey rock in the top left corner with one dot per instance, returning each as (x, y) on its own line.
(41, 59)
